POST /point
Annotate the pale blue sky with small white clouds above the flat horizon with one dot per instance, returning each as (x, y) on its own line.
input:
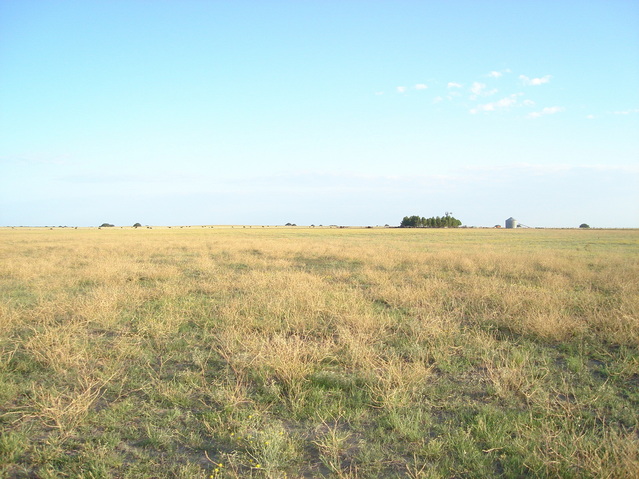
(346, 112)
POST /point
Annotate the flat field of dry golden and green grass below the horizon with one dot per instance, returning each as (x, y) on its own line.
(290, 352)
